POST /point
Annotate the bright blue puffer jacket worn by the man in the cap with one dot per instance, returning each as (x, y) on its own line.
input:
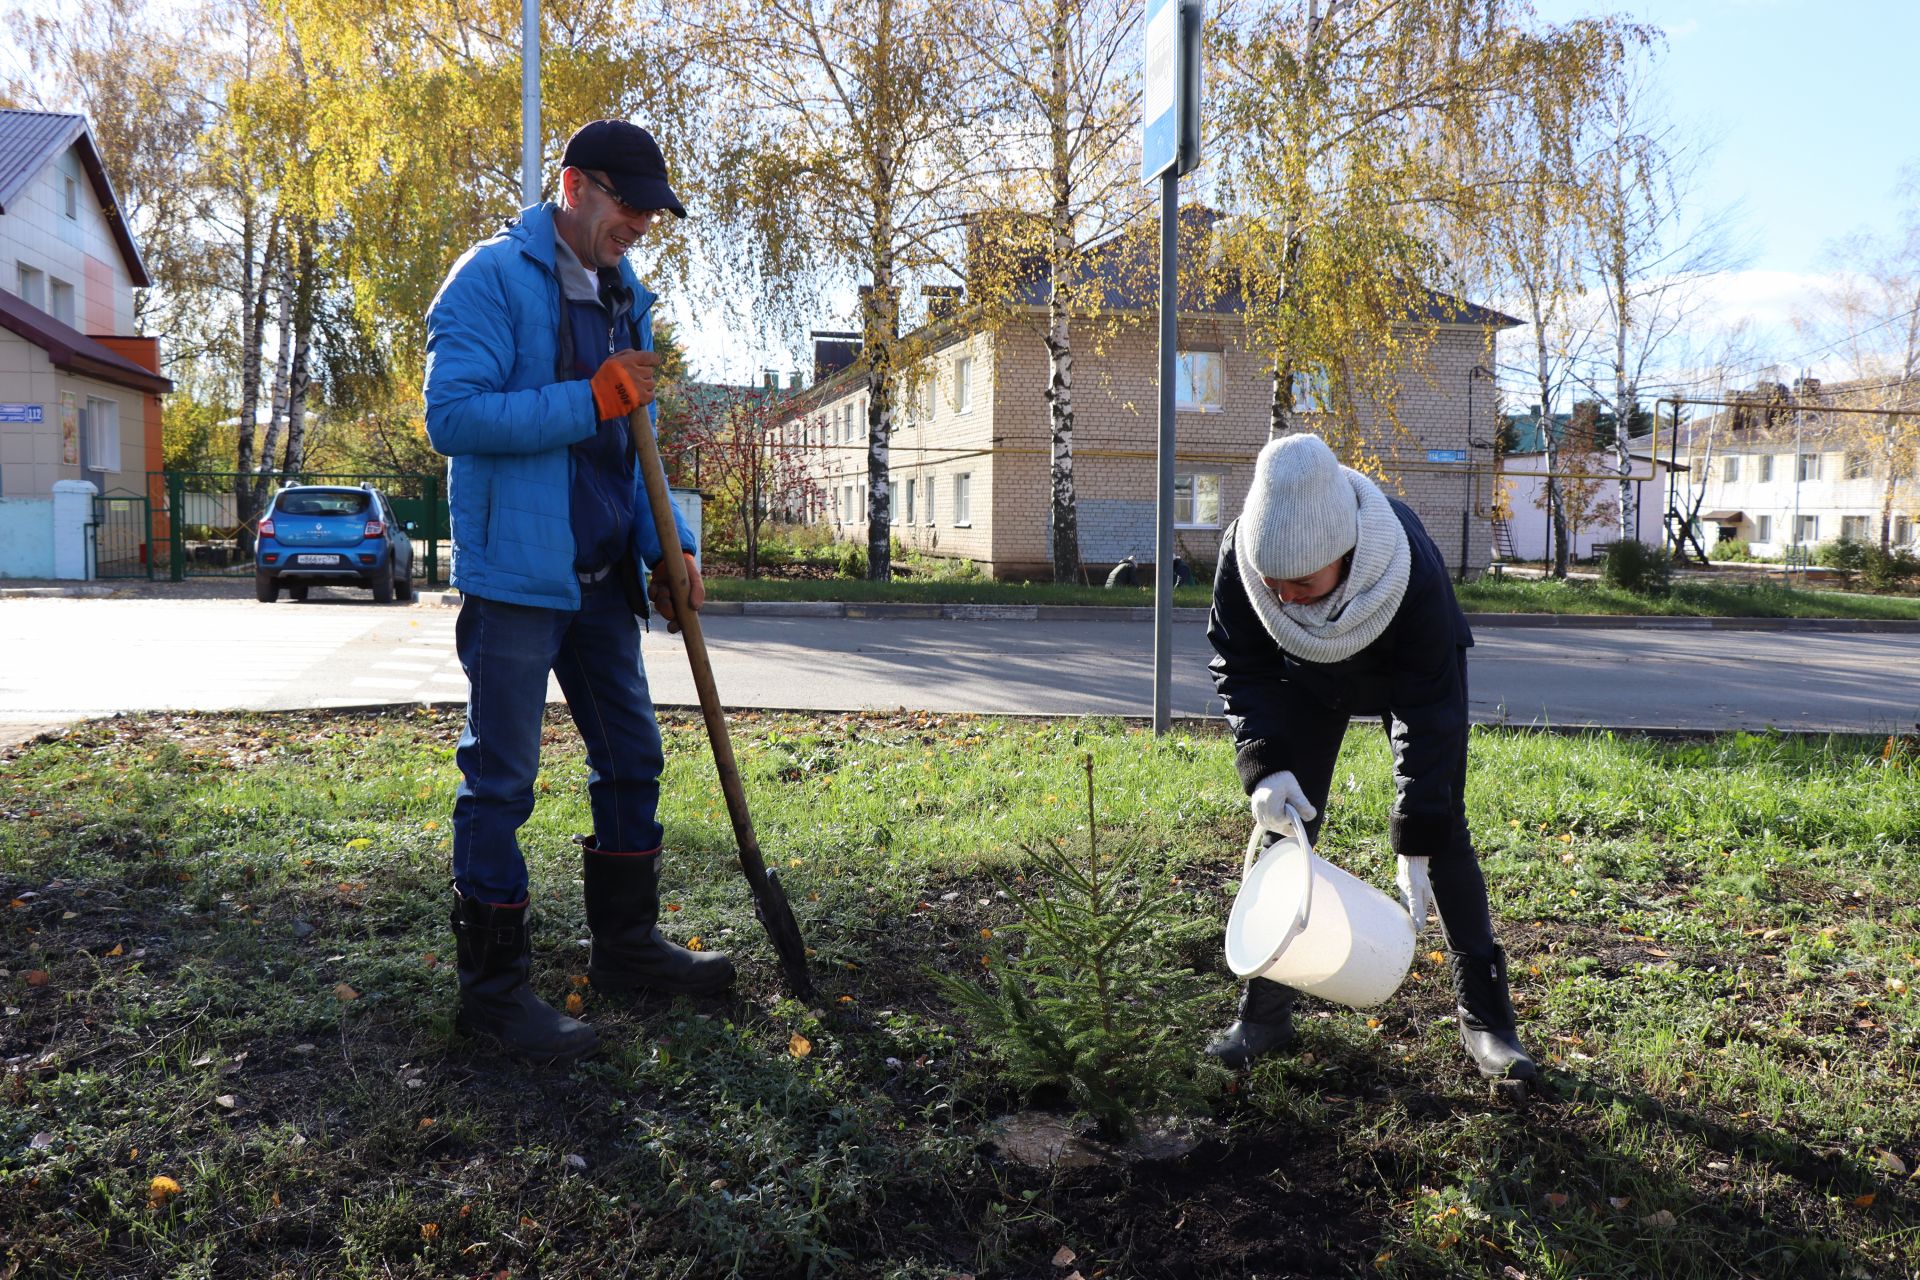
(500, 414)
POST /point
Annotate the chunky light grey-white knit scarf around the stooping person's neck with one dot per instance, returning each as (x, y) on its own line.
(1360, 609)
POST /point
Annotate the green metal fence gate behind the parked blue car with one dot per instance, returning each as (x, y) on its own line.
(212, 538)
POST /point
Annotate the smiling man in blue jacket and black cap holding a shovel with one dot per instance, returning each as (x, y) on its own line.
(539, 348)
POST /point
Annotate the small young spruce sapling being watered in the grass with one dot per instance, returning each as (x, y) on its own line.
(1097, 1001)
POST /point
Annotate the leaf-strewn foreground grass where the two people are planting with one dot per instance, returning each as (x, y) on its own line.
(222, 960)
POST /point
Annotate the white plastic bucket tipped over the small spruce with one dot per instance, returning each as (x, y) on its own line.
(1310, 926)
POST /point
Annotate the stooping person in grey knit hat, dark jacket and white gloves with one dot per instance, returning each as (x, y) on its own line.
(1332, 604)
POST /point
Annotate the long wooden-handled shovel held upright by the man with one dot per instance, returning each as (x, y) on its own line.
(769, 899)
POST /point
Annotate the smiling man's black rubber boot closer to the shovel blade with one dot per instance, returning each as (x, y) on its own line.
(631, 953)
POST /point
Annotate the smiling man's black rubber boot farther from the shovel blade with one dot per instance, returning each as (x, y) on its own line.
(496, 1003)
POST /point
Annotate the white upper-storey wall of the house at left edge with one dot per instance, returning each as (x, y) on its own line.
(76, 250)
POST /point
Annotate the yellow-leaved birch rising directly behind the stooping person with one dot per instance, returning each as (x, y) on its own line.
(1341, 126)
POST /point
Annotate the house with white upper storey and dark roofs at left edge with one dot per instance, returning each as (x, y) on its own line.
(80, 391)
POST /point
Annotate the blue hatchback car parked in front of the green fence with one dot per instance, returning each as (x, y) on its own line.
(320, 534)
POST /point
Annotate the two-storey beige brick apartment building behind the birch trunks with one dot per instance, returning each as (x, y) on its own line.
(972, 458)
